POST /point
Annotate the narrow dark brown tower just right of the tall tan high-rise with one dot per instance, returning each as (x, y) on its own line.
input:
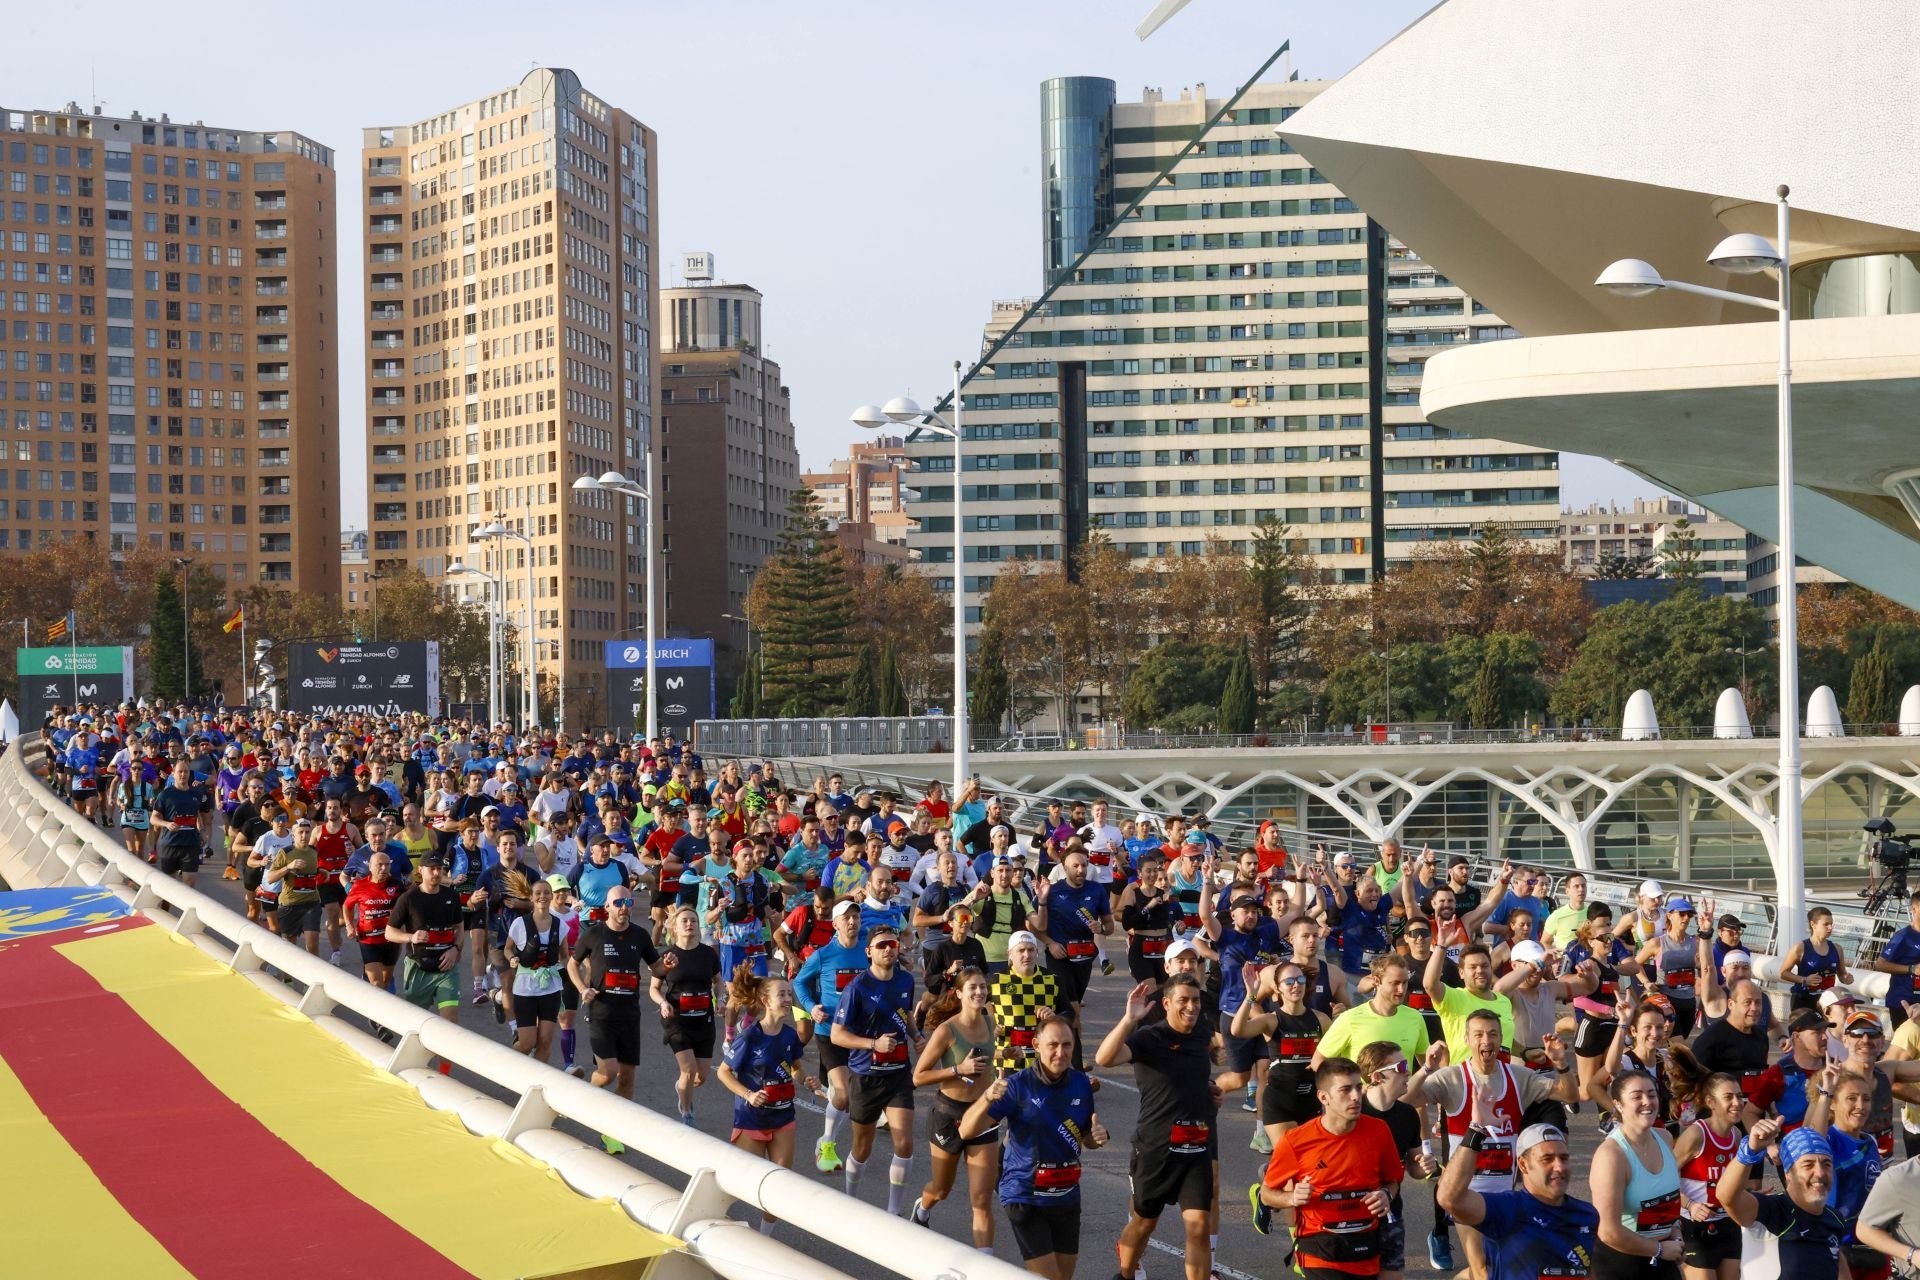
(729, 463)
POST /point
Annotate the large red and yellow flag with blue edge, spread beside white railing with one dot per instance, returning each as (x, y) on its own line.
(254, 1097)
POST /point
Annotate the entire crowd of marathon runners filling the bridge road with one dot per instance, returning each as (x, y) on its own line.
(1385, 1018)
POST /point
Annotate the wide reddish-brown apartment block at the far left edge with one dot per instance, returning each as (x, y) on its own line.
(168, 343)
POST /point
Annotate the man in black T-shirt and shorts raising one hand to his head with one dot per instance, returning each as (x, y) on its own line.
(1174, 1147)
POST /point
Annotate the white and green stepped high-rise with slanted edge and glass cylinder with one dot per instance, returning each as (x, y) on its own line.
(1222, 356)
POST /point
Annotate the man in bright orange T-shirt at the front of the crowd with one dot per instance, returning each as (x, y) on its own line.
(1339, 1173)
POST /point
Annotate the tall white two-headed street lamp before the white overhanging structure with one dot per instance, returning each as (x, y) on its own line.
(1748, 254)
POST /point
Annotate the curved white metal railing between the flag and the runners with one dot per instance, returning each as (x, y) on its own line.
(45, 843)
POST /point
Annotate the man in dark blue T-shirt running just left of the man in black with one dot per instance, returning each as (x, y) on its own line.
(1049, 1122)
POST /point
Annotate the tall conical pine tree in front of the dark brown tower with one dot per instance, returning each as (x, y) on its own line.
(807, 636)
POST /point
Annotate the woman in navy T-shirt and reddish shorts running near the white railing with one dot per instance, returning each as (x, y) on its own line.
(763, 1064)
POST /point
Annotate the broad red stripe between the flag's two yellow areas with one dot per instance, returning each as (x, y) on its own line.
(210, 1183)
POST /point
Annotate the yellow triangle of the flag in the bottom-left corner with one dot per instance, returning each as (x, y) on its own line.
(66, 1223)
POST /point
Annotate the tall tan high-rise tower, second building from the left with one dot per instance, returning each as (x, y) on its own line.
(512, 350)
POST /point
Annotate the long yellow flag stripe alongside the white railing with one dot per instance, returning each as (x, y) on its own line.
(362, 1127)
